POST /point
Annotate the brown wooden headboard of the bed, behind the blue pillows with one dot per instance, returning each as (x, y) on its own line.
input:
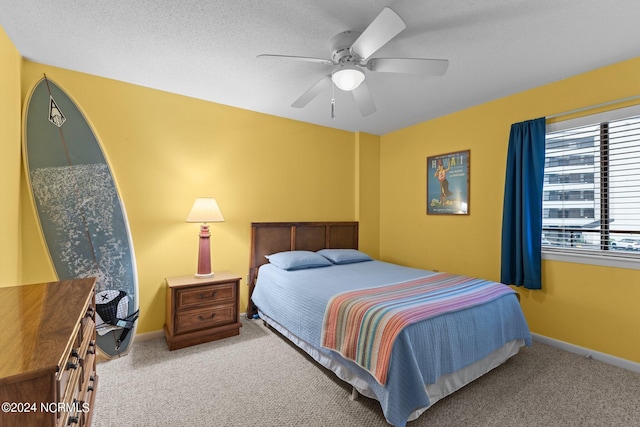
(271, 237)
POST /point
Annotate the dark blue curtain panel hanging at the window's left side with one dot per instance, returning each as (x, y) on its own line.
(522, 213)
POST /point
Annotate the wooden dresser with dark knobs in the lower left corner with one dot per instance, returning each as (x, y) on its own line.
(48, 354)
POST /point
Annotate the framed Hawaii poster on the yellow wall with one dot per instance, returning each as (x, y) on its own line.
(448, 184)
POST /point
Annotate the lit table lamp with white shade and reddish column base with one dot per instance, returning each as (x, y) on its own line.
(204, 211)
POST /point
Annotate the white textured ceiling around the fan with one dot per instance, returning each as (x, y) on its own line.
(207, 49)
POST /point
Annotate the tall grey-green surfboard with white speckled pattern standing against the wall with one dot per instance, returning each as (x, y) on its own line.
(80, 212)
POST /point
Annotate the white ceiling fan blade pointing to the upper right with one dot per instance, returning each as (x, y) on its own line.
(386, 26)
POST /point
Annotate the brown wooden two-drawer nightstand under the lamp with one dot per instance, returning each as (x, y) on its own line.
(201, 310)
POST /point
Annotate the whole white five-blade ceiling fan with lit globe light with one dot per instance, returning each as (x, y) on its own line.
(351, 55)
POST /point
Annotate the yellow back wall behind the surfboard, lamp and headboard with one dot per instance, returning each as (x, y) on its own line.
(165, 150)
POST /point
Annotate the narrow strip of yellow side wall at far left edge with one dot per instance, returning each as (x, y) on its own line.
(10, 62)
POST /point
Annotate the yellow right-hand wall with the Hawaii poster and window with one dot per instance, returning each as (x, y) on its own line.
(588, 306)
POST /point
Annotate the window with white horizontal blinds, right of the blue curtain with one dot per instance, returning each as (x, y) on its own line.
(591, 195)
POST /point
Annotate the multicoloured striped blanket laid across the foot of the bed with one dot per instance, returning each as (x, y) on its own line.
(362, 325)
